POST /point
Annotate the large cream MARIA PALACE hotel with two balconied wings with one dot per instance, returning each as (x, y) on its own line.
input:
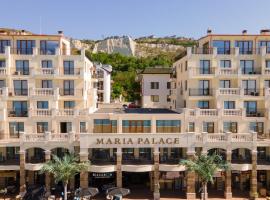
(219, 103)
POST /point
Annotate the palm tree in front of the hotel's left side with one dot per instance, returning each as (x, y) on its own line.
(63, 169)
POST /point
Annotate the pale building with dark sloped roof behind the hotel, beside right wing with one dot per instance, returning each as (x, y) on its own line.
(155, 87)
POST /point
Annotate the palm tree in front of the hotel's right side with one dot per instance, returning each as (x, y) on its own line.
(205, 166)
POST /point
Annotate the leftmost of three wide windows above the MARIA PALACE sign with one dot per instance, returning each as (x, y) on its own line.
(105, 126)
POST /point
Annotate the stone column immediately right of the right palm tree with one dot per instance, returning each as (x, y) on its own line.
(228, 177)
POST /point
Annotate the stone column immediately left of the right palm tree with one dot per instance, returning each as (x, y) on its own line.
(190, 178)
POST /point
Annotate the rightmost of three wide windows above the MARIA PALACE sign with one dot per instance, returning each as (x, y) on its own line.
(168, 126)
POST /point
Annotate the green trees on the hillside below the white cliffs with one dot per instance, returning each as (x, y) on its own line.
(124, 71)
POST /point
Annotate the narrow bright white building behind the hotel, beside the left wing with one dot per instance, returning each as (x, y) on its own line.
(104, 82)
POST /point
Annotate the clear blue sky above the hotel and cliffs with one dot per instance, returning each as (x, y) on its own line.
(96, 19)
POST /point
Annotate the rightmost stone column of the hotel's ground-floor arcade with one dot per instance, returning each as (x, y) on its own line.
(253, 180)
